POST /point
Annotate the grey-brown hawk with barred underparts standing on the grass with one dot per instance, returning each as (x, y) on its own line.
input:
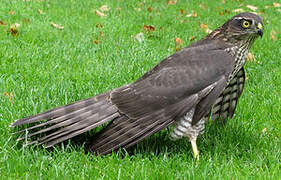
(206, 77)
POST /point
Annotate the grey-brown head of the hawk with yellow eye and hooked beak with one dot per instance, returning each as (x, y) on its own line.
(240, 28)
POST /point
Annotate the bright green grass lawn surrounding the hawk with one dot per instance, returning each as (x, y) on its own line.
(44, 67)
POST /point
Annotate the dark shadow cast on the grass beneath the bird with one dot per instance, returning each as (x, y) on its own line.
(218, 139)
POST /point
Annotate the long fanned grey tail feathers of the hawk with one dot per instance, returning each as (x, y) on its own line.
(65, 122)
